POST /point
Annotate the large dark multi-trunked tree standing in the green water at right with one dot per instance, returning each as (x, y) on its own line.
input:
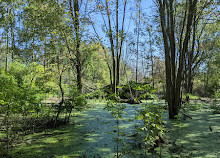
(174, 58)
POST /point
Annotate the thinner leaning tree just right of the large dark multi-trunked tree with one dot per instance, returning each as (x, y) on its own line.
(196, 55)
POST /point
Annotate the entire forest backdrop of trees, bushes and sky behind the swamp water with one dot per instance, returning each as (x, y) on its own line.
(71, 50)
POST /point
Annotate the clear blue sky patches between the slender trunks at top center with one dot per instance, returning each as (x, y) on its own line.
(147, 7)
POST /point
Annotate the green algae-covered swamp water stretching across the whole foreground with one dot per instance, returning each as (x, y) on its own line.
(93, 131)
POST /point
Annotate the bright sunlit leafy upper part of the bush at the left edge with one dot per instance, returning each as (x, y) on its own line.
(20, 90)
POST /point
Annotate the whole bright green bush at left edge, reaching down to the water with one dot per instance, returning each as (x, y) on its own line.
(20, 98)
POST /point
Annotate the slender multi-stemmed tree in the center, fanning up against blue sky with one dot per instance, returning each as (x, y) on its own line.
(116, 37)
